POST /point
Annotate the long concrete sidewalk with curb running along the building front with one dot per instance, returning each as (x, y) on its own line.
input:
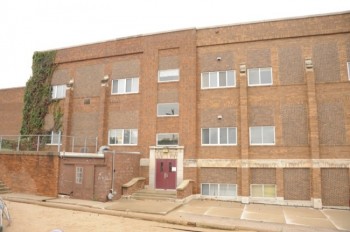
(206, 213)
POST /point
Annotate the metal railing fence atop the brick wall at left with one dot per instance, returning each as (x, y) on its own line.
(81, 144)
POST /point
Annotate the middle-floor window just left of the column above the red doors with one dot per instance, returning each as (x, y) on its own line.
(123, 136)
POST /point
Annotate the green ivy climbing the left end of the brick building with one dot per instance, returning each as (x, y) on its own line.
(37, 96)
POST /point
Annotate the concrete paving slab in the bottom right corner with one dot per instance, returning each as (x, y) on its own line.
(339, 218)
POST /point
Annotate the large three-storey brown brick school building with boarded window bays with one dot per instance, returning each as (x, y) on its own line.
(256, 112)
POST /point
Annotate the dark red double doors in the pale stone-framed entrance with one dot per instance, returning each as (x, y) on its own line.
(166, 173)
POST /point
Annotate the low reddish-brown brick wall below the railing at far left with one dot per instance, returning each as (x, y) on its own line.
(30, 172)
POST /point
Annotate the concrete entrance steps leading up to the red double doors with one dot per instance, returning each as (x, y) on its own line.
(155, 194)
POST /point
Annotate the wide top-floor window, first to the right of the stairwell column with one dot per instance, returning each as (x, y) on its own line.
(220, 79)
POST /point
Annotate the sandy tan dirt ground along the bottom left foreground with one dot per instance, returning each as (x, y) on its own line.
(27, 217)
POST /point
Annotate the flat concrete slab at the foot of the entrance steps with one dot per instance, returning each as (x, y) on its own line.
(140, 206)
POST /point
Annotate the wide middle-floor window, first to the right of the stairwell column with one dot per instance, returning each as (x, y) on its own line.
(222, 136)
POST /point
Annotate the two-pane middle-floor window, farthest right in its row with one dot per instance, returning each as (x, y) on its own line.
(262, 135)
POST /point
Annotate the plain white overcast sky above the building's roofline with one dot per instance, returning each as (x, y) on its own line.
(37, 25)
